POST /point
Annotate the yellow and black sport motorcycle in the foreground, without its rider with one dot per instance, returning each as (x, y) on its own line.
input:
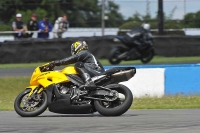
(64, 92)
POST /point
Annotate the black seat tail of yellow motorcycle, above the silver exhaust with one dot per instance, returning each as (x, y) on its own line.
(116, 69)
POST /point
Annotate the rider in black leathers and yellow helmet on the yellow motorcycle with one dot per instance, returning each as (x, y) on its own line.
(85, 63)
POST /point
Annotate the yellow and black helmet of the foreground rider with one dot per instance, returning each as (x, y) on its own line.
(78, 46)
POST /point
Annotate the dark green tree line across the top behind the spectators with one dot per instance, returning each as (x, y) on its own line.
(86, 13)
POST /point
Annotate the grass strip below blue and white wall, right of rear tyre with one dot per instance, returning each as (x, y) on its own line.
(167, 102)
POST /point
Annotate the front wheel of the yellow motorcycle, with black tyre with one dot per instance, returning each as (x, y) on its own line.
(30, 107)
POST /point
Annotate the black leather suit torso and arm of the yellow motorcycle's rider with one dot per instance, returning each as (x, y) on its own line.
(85, 62)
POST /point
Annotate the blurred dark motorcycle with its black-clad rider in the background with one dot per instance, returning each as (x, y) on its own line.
(137, 47)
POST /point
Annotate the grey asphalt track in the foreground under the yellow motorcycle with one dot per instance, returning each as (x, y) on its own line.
(133, 121)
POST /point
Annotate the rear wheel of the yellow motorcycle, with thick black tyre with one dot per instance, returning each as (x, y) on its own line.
(117, 107)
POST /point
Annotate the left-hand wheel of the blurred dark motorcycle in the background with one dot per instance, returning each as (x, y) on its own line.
(114, 53)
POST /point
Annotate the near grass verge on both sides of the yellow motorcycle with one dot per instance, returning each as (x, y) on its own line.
(10, 87)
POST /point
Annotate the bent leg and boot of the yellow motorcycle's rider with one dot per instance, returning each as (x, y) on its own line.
(85, 76)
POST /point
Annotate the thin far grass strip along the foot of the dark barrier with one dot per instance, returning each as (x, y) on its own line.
(156, 60)
